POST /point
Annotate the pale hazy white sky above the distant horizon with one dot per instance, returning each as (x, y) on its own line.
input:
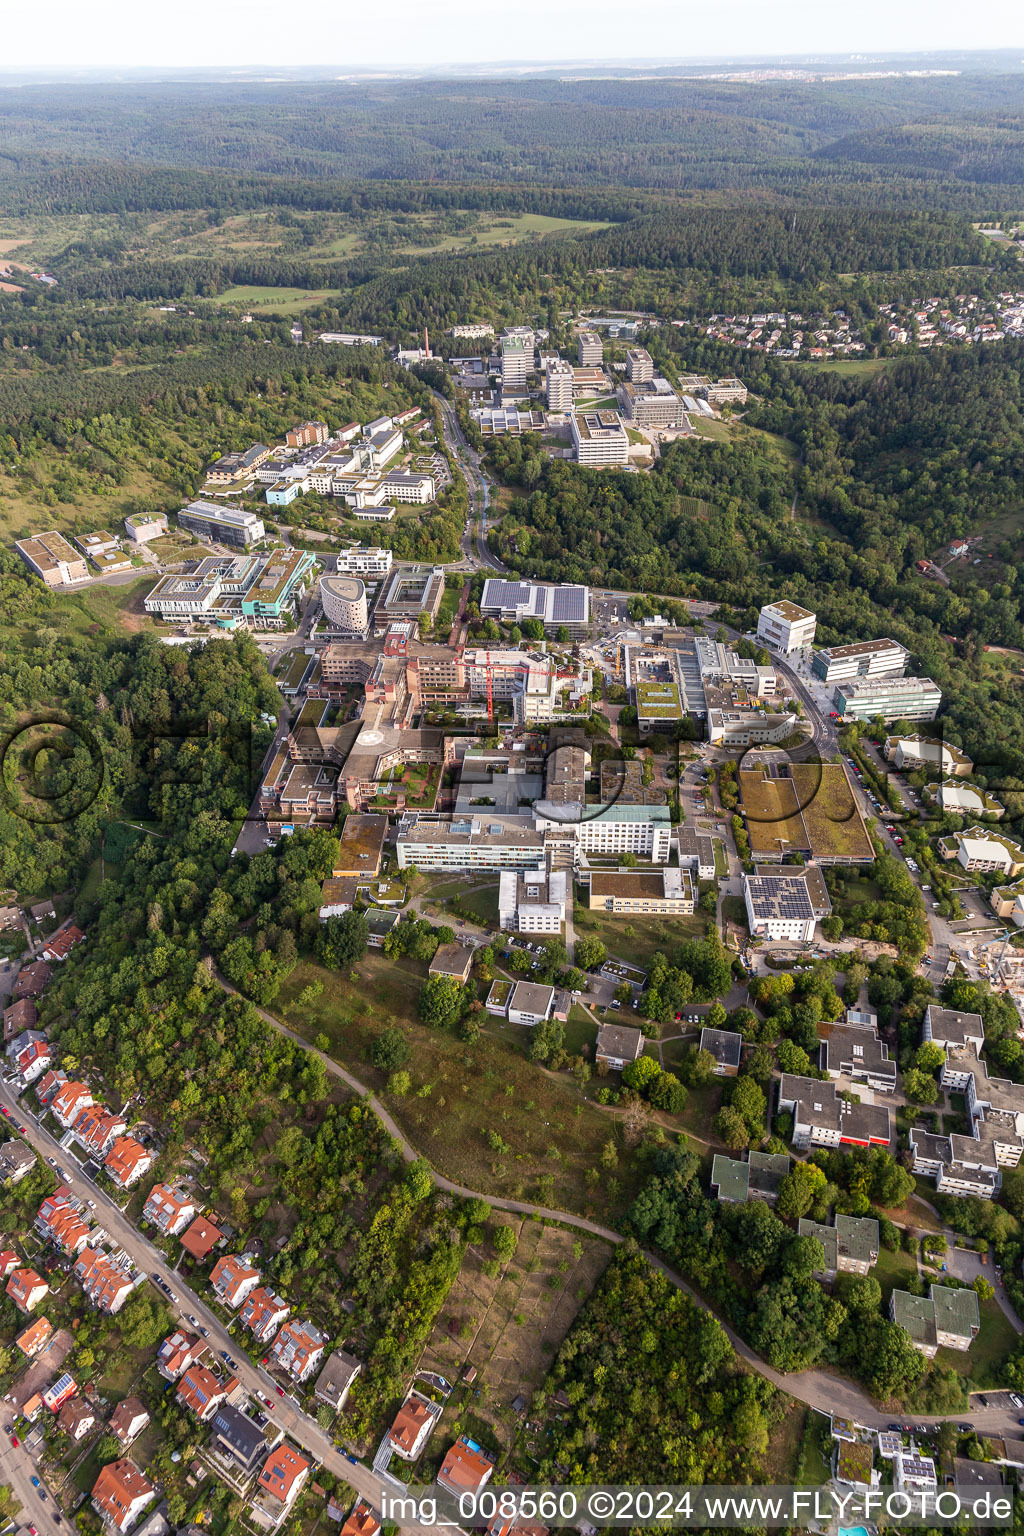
(401, 33)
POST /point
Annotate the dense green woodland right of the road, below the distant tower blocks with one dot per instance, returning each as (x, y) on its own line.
(888, 469)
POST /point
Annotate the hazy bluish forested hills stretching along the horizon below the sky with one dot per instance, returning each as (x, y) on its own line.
(911, 142)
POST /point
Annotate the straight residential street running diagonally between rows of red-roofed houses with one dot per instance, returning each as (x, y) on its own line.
(285, 1412)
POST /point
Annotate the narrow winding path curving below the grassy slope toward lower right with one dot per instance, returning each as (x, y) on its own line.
(816, 1388)
